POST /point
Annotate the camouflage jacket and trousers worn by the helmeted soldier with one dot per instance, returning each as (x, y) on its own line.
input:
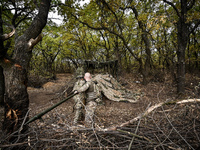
(79, 101)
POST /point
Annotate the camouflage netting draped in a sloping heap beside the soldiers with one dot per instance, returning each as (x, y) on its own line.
(113, 90)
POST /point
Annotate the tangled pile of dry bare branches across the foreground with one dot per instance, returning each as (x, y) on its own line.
(167, 125)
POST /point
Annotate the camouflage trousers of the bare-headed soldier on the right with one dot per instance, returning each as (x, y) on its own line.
(89, 114)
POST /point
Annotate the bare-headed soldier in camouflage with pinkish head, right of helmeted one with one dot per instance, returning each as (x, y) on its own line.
(91, 96)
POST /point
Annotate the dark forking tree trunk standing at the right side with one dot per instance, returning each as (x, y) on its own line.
(184, 29)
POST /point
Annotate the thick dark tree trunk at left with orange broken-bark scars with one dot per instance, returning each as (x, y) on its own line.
(15, 72)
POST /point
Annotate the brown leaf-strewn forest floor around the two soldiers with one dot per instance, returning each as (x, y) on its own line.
(111, 113)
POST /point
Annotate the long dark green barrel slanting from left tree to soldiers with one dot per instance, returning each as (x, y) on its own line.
(38, 116)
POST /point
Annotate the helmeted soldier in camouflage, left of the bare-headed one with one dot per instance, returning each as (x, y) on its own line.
(79, 98)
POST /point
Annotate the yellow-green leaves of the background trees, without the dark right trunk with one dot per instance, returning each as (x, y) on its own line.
(108, 30)
